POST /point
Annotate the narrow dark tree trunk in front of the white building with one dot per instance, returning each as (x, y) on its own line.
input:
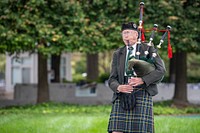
(55, 67)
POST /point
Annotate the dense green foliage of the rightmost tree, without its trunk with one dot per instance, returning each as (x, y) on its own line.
(182, 16)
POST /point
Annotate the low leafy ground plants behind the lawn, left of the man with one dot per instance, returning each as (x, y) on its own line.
(50, 108)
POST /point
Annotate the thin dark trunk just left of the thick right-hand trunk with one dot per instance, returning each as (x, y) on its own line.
(172, 69)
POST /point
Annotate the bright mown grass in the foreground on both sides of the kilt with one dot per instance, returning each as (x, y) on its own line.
(85, 123)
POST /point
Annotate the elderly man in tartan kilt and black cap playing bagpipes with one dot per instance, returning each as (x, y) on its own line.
(136, 69)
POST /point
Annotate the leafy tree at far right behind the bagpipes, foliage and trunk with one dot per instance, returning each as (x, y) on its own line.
(183, 17)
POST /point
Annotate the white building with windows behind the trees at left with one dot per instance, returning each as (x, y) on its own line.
(24, 69)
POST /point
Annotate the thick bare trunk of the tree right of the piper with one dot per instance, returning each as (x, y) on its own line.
(180, 95)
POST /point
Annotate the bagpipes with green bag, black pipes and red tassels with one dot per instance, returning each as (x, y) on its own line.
(144, 65)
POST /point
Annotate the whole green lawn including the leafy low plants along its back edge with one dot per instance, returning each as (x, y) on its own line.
(61, 118)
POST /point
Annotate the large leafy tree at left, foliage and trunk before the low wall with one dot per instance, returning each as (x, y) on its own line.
(40, 26)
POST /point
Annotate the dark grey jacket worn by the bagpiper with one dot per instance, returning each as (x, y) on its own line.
(118, 68)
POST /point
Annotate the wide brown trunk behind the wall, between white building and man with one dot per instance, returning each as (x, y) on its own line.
(92, 67)
